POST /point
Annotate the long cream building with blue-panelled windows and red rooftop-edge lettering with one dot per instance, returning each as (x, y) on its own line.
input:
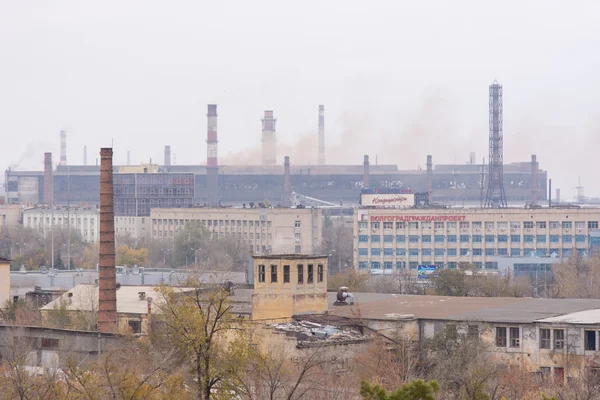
(388, 239)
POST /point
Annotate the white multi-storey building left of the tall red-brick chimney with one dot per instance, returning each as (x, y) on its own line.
(84, 220)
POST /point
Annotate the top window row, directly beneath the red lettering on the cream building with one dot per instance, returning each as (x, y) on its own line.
(481, 225)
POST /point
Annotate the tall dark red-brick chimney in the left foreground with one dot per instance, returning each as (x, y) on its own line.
(107, 304)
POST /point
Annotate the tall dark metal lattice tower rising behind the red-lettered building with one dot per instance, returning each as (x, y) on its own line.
(495, 196)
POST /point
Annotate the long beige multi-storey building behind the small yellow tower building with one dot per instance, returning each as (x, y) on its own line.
(263, 230)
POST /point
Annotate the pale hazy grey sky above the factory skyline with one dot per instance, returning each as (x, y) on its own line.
(399, 80)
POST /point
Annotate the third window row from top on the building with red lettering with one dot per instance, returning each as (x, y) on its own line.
(466, 252)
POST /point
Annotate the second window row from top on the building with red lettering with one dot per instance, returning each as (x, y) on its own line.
(471, 238)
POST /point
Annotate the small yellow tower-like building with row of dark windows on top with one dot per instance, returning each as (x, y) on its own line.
(287, 285)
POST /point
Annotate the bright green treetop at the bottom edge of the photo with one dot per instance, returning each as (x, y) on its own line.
(415, 390)
